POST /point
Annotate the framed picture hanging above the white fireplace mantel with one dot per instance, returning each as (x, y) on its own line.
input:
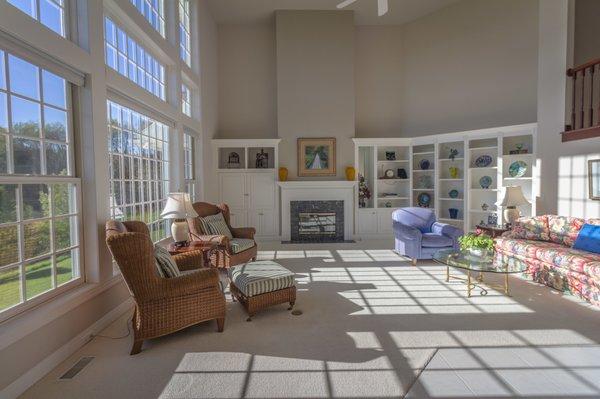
(316, 157)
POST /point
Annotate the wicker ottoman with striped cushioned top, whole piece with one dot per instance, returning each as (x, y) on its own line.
(258, 285)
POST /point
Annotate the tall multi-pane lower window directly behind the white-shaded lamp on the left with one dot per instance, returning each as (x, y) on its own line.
(139, 167)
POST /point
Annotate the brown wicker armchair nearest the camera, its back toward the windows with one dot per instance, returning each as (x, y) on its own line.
(163, 305)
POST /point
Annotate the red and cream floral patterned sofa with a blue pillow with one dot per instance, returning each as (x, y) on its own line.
(544, 244)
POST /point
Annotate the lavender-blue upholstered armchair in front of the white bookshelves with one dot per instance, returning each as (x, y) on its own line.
(419, 236)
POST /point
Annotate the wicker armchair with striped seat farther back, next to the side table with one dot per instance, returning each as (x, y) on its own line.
(224, 256)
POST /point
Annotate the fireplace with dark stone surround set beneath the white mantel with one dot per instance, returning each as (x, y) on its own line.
(317, 221)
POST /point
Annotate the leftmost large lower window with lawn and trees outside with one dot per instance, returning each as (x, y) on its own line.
(38, 193)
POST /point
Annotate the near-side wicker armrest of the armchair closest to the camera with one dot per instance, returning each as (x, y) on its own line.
(188, 284)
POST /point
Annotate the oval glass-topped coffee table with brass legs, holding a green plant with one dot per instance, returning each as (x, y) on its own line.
(477, 264)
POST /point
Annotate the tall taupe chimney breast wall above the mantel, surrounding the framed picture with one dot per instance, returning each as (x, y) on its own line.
(315, 82)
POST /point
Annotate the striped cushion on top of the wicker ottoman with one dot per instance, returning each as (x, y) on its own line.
(260, 277)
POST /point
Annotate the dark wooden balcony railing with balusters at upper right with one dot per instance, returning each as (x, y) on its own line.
(585, 102)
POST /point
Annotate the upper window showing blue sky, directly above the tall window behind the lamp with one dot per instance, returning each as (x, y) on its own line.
(131, 60)
